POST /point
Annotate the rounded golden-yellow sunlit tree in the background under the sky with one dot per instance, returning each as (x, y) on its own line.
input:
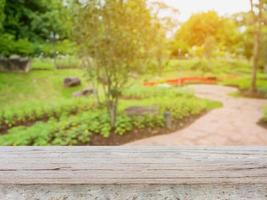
(205, 29)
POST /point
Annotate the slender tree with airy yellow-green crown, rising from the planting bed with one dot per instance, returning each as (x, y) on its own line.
(114, 37)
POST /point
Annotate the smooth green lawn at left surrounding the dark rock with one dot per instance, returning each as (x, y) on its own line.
(44, 86)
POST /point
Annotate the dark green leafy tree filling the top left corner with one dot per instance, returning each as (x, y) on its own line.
(29, 27)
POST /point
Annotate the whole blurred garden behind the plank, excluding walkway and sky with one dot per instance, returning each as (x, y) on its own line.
(112, 72)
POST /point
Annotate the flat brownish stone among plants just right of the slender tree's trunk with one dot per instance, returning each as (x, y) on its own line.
(141, 110)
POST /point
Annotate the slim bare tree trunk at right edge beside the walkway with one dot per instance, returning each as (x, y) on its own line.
(257, 10)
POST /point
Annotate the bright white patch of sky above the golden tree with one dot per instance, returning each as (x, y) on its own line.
(223, 7)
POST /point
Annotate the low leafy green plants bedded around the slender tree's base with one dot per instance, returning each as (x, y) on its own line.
(78, 129)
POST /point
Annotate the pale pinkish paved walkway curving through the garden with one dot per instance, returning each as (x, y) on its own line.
(234, 124)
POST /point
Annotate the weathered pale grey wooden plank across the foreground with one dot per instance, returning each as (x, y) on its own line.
(132, 165)
